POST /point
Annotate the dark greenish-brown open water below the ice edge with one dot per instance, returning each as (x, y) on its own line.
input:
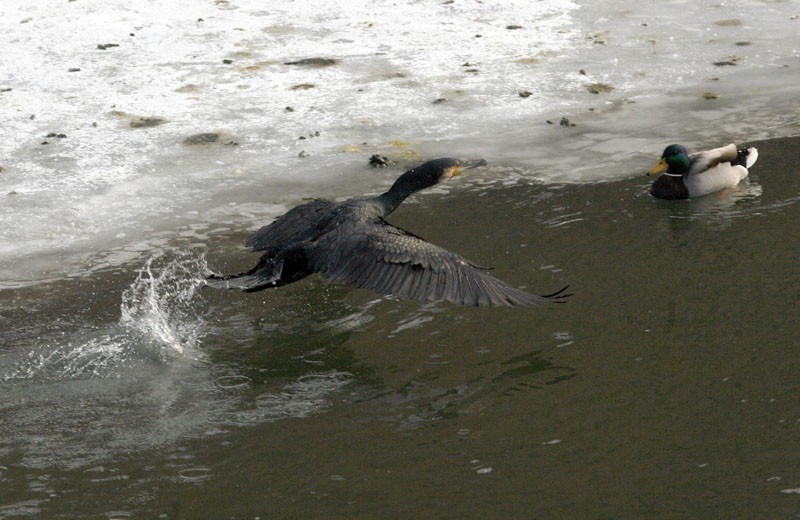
(667, 387)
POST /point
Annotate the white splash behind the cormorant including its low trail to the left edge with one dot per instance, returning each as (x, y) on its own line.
(158, 317)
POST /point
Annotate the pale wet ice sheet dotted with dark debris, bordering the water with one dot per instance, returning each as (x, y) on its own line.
(414, 80)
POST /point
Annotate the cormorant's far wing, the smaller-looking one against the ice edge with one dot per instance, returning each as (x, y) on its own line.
(293, 227)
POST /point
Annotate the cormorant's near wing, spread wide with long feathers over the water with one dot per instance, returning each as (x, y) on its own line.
(389, 260)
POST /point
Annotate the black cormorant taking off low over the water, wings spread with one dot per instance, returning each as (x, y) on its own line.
(351, 242)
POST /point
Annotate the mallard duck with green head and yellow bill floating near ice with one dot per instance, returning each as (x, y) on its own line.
(684, 176)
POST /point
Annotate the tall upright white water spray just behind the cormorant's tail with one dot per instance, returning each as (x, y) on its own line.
(159, 303)
